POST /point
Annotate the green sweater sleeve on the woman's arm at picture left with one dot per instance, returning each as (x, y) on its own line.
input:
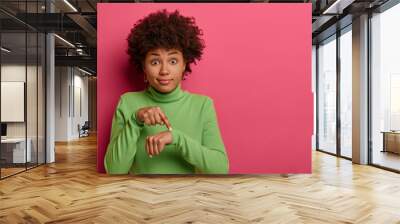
(121, 149)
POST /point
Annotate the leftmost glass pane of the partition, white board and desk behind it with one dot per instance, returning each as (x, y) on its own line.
(14, 154)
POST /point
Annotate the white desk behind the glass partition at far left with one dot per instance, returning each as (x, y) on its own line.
(13, 150)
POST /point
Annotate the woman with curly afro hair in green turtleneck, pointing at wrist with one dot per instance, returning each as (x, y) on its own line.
(163, 129)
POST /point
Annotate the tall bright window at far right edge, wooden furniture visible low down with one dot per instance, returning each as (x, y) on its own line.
(385, 88)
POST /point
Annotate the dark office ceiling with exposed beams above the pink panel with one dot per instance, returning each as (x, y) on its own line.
(76, 22)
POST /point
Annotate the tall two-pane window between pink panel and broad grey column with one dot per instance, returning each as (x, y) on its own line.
(328, 95)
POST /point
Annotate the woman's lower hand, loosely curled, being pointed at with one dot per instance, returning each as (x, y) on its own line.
(156, 143)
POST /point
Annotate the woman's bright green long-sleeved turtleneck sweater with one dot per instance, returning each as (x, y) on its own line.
(196, 145)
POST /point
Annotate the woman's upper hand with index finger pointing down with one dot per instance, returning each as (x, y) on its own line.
(152, 116)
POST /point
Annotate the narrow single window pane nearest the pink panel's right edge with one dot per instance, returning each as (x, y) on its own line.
(327, 95)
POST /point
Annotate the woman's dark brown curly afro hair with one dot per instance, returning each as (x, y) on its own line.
(165, 30)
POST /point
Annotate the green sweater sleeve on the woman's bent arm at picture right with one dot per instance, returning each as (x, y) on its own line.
(208, 156)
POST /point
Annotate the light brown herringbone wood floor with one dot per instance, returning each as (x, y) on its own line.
(71, 191)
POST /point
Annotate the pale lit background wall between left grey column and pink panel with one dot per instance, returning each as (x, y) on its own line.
(71, 93)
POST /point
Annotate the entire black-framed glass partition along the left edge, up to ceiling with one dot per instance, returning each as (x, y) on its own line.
(22, 78)
